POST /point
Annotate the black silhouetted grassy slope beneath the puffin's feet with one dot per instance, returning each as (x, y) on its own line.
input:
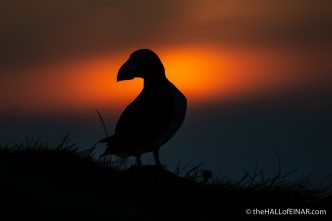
(60, 182)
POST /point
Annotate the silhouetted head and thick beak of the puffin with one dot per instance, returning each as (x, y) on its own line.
(142, 63)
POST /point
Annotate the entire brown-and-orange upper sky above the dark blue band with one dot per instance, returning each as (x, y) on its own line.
(63, 56)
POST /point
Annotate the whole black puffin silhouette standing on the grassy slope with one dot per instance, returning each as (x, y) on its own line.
(153, 117)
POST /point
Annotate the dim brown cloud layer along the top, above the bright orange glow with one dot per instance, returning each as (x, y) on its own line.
(40, 31)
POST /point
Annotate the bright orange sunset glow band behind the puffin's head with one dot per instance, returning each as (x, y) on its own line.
(205, 74)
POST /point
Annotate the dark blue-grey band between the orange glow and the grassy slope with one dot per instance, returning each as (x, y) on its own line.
(227, 138)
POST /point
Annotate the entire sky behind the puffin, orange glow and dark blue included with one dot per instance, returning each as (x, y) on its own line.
(257, 75)
